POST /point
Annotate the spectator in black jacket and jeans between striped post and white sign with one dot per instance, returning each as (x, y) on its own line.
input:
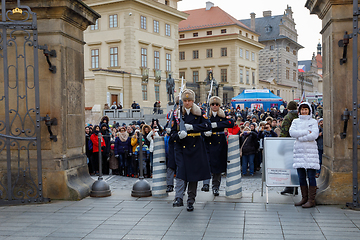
(249, 144)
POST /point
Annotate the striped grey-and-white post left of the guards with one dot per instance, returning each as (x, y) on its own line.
(159, 172)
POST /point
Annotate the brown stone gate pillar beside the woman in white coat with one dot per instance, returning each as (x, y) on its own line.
(335, 182)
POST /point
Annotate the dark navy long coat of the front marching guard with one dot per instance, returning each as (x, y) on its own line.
(190, 153)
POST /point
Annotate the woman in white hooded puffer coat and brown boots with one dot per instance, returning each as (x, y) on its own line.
(306, 158)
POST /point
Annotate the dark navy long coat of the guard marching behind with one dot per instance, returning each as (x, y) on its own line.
(216, 144)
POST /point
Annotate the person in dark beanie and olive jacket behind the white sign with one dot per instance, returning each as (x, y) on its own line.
(285, 126)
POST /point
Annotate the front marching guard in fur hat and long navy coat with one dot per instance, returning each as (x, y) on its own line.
(190, 151)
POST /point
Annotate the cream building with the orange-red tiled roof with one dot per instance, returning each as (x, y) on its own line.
(212, 39)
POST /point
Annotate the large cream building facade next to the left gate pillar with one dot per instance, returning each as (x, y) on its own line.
(129, 53)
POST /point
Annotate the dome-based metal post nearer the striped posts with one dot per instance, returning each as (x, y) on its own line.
(141, 187)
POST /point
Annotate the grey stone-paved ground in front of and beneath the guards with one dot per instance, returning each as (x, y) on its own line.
(121, 216)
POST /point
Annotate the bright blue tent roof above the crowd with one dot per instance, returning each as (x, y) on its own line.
(249, 95)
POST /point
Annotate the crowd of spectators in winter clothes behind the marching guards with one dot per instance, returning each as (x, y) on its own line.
(120, 143)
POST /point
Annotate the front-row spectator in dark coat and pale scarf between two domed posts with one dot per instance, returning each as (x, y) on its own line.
(122, 151)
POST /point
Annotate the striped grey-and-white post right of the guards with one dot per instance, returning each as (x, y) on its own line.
(233, 175)
